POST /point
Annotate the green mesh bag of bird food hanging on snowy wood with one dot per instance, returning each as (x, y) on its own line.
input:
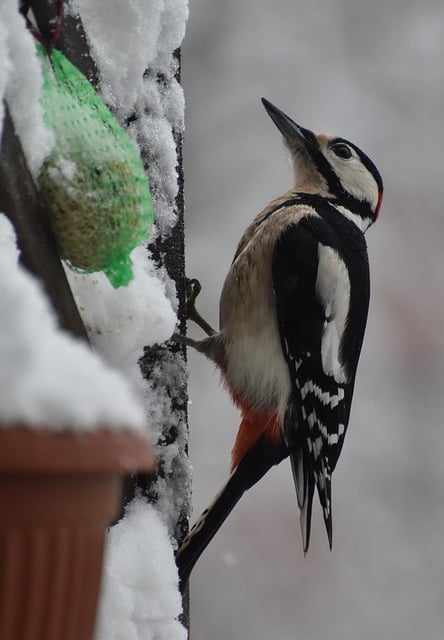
(93, 185)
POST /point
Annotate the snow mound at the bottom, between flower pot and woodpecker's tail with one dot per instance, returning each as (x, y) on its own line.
(140, 598)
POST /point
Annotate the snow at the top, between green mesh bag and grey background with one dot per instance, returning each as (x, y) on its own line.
(126, 40)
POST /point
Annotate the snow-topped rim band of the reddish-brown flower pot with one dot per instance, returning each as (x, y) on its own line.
(32, 450)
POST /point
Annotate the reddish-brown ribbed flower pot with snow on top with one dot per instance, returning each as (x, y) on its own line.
(58, 493)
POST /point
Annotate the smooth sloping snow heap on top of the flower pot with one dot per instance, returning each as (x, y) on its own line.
(47, 377)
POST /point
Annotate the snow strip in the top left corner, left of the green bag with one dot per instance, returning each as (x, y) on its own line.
(20, 83)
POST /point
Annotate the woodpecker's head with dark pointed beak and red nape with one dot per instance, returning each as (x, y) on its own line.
(331, 167)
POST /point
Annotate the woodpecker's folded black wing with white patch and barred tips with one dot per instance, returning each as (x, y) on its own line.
(321, 288)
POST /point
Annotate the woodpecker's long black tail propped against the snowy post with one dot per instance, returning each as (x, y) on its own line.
(255, 464)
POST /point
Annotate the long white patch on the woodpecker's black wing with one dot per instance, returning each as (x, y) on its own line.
(333, 291)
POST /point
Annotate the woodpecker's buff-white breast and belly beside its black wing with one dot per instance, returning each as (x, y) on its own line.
(256, 366)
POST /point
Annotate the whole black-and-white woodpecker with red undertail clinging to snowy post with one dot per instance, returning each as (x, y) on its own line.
(293, 312)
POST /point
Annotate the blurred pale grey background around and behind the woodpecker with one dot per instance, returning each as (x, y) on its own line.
(371, 72)
